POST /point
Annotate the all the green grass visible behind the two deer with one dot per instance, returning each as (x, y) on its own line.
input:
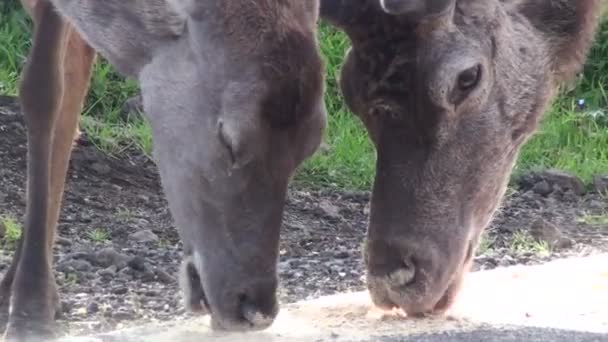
(569, 139)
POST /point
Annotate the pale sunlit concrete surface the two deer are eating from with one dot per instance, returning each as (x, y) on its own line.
(565, 300)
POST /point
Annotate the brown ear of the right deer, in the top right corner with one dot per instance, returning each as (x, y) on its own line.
(569, 26)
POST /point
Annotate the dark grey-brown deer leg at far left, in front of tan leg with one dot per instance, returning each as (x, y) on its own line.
(34, 293)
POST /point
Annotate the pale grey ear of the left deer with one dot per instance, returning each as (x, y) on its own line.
(126, 32)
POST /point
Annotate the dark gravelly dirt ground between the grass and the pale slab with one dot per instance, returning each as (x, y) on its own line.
(117, 252)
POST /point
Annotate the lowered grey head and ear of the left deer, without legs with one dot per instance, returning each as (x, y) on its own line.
(234, 94)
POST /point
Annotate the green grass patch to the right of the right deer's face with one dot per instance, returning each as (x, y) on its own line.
(572, 139)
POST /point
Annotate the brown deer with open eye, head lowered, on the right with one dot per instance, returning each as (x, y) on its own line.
(449, 91)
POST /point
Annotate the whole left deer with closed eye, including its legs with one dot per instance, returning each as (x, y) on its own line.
(233, 91)
